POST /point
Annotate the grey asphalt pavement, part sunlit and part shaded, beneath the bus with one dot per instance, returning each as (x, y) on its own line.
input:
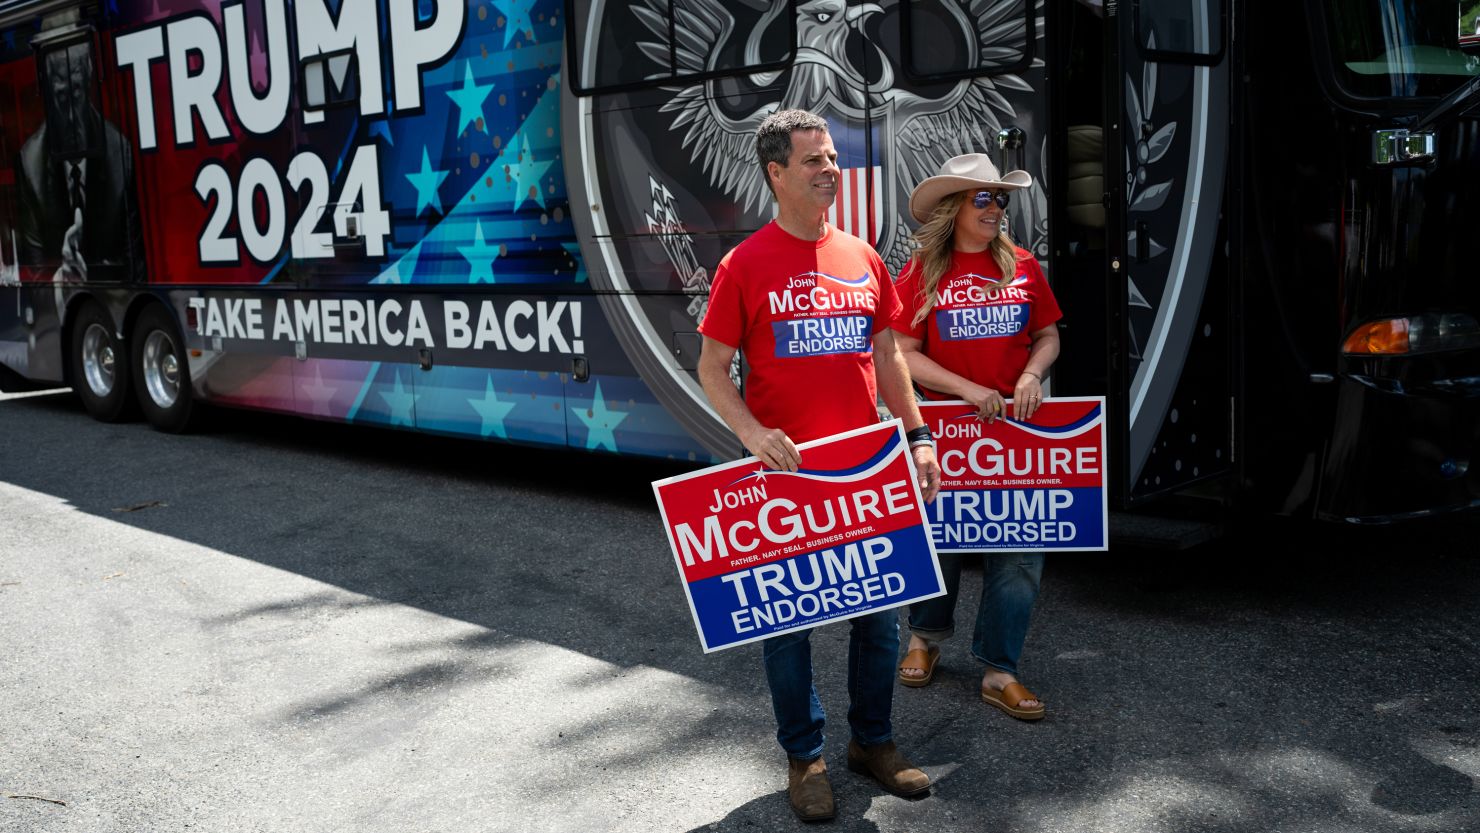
(292, 627)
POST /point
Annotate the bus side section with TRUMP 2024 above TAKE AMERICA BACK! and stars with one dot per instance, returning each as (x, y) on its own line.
(409, 264)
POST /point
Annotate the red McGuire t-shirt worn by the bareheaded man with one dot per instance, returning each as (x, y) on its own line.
(804, 313)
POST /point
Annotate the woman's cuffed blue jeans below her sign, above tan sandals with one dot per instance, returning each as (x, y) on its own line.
(1010, 584)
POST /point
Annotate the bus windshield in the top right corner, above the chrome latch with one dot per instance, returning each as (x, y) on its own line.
(1399, 50)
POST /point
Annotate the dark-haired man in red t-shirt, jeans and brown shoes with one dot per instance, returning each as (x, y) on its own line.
(801, 269)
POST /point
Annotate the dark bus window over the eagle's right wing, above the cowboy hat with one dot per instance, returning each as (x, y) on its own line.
(936, 42)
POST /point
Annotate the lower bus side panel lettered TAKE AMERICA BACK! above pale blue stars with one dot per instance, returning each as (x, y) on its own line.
(476, 381)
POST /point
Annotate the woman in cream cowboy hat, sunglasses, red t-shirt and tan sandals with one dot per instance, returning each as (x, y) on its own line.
(967, 261)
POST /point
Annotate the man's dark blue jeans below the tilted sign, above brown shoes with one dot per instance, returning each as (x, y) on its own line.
(872, 655)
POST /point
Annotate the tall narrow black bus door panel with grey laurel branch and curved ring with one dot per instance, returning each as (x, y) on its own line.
(1167, 166)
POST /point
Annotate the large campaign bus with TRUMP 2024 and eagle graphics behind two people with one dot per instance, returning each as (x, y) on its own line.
(499, 218)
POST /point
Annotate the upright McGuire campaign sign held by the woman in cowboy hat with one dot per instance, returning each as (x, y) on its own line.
(1020, 486)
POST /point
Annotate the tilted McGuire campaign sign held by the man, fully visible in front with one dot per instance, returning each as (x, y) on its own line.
(764, 553)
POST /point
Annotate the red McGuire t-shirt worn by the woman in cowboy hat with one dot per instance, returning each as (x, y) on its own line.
(978, 332)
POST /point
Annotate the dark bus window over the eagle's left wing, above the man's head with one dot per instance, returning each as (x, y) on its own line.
(630, 47)
